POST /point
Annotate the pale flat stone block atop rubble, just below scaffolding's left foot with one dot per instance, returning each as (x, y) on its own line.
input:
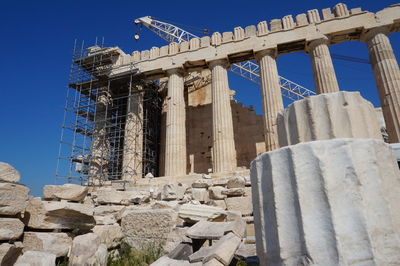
(66, 192)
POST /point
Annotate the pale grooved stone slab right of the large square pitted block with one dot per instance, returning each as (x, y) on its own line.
(193, 213)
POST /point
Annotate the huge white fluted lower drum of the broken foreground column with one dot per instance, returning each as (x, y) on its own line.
(348, 192)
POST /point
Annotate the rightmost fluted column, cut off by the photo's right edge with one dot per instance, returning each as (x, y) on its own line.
(387, 76)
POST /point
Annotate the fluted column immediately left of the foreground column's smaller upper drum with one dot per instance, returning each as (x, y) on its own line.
(271, 96)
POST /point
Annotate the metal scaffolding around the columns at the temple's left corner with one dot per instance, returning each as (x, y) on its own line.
(111, 124)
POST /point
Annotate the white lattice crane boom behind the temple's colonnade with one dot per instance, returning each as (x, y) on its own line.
(249, 69)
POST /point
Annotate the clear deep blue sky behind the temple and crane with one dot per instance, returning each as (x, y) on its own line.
(37, 39)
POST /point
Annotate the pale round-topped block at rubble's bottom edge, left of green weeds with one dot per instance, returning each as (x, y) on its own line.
(88, 250)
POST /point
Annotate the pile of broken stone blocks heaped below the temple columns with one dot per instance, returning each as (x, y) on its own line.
(86, 225)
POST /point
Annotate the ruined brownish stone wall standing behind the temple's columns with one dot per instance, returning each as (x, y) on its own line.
(248, 128)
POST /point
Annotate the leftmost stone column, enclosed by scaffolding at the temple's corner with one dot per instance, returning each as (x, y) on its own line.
(100, 149)
